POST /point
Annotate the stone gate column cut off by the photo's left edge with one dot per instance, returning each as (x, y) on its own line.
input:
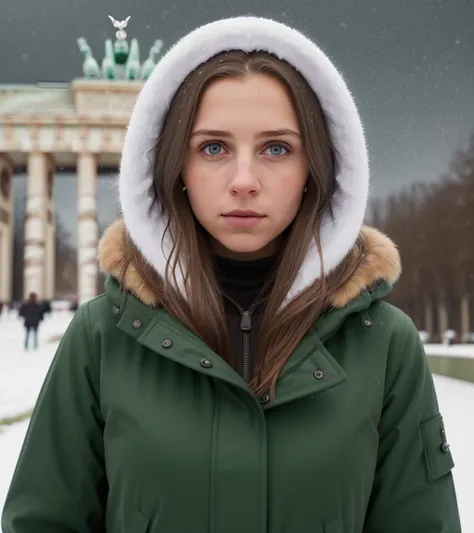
(6, 229)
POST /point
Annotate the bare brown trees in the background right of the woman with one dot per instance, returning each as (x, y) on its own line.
(433, 225)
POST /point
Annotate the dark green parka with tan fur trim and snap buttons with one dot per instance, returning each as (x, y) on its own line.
(141, 428)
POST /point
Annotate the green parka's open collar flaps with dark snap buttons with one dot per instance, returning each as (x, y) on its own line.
(157, 330)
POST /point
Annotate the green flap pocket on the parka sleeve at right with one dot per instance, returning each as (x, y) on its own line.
(437, 455)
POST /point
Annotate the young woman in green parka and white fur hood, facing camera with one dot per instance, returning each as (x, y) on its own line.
(241, 373)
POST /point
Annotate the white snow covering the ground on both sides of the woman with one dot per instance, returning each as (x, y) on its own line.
(22, 373)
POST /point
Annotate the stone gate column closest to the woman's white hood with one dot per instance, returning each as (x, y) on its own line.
(87, 229)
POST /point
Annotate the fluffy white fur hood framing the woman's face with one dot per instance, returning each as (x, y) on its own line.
(247, 34)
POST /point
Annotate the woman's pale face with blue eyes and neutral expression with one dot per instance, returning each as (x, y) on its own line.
(245, 168)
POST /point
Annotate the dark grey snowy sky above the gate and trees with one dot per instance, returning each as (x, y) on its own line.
(408, 63)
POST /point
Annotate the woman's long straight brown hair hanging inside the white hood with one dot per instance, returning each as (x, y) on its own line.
(202, 311)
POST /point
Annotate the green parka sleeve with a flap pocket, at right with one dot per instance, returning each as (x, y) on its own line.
(413, 489)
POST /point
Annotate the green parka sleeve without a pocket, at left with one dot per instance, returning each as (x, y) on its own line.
(59, 484)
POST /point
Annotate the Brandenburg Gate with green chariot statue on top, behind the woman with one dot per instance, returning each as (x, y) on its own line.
(78, 126)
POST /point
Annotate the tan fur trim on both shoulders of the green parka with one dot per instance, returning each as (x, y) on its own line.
(381, 261)
